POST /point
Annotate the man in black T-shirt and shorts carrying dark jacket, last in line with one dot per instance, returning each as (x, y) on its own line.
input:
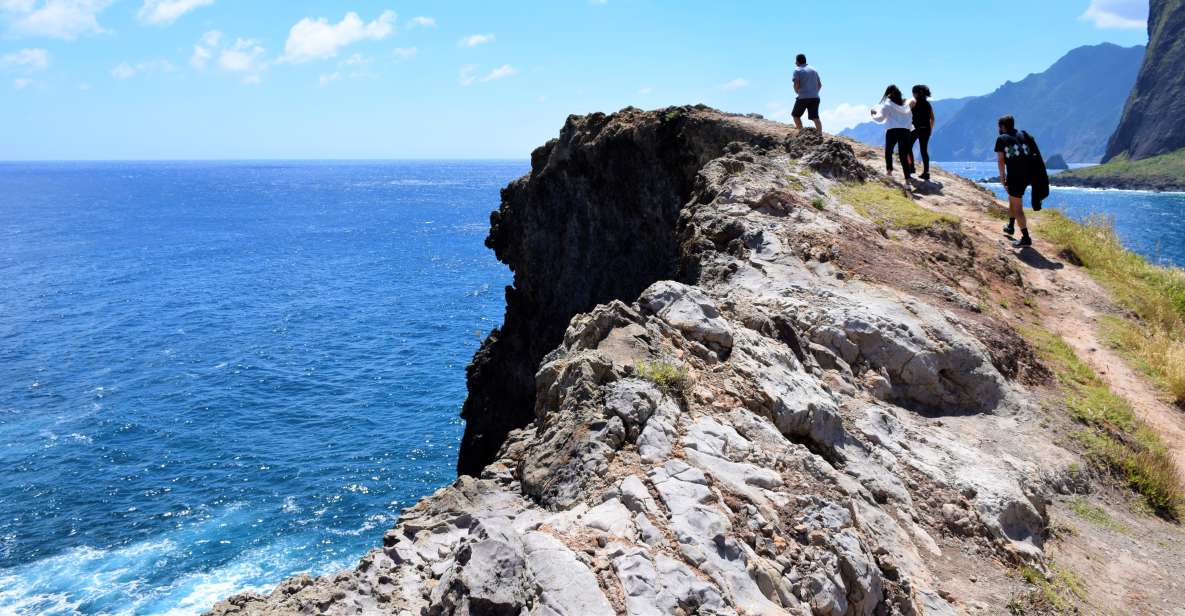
(1021, 166)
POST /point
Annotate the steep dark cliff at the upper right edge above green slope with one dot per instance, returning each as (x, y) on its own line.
(1152, 119)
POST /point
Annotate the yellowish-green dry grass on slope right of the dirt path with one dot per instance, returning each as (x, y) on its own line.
(1156, 294)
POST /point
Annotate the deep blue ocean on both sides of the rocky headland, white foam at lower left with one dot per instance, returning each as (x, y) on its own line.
(216, 376)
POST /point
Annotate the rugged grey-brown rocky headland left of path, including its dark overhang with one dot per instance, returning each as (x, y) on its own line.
(742, 373)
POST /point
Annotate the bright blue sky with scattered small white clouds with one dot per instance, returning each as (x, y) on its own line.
(146, 80)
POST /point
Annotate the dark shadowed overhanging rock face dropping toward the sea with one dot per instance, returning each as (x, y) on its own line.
(595, 221)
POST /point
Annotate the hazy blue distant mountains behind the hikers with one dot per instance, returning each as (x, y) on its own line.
(1072, 108)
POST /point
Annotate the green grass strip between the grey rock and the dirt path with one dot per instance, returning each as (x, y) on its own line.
(1114, 439)
